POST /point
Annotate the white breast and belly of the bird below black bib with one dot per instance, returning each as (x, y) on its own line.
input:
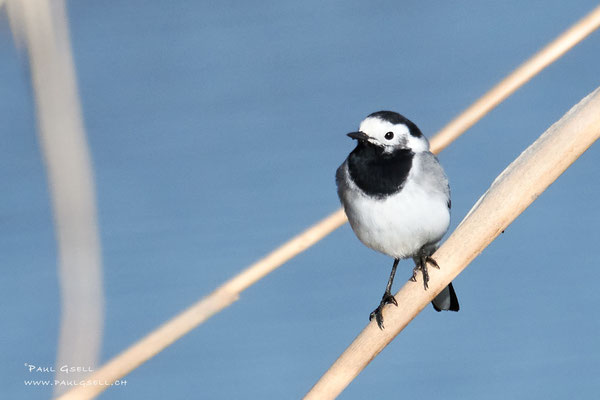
(401, 224)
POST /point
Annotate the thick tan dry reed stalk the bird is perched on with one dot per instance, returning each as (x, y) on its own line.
(508, 196)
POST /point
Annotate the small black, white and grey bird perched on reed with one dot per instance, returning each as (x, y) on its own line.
(396, 196)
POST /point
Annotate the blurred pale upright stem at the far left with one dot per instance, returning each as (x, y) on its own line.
(41, 26)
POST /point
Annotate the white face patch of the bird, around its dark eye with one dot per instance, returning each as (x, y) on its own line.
(389, 136)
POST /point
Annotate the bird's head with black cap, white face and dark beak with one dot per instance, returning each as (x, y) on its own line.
(390, 131)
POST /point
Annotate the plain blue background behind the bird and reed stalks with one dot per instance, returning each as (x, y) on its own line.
(215, 130)
